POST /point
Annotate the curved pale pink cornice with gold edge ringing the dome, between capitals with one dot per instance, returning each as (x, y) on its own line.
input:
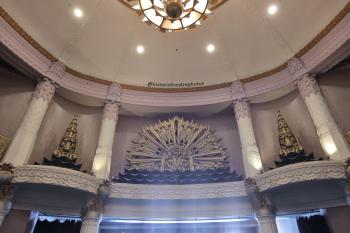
(314, 56)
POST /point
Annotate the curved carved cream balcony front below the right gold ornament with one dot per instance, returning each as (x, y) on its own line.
(308, 171)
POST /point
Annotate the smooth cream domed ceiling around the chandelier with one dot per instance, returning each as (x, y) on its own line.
(102, 43)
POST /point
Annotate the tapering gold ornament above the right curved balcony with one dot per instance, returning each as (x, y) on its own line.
(288, 142)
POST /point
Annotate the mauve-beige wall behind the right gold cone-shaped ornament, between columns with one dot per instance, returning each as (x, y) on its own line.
(297, 116)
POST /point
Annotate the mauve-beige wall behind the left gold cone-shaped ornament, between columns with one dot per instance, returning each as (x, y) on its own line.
(56, 121)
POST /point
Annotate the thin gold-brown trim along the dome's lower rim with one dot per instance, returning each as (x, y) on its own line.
(279, 68)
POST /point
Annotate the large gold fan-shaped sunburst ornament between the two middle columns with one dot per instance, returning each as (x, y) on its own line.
(177, 145)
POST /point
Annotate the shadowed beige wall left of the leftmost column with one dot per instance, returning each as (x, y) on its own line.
(15, 94)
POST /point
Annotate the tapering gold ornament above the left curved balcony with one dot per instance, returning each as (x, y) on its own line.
(68, 144)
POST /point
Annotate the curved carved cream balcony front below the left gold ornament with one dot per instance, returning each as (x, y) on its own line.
(50, 175)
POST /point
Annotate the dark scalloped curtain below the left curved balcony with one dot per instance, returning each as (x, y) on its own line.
(68, 226)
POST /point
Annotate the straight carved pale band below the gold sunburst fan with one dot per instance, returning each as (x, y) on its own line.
(177, 192)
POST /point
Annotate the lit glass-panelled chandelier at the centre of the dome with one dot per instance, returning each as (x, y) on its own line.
(173, 15)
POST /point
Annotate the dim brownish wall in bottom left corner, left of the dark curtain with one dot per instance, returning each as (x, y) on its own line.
(15, 222)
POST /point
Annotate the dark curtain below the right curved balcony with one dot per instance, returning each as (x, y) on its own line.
(313, 224)
